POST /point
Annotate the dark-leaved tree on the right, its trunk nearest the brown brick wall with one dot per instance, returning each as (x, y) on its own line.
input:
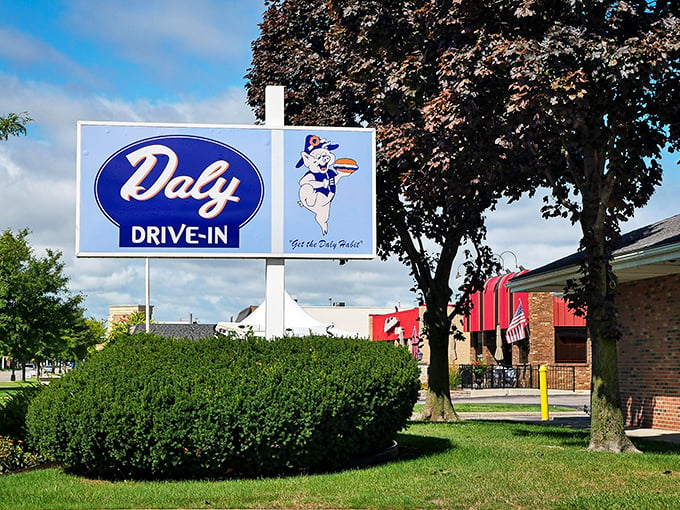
(587, 97)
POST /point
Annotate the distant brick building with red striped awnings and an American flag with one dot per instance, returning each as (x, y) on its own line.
(557, 338)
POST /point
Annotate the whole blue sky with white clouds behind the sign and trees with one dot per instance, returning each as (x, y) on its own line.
(178, 61)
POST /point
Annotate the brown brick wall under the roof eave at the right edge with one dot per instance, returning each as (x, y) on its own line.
(649, 352)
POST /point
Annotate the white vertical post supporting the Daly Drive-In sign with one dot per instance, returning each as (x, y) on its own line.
(275, 267)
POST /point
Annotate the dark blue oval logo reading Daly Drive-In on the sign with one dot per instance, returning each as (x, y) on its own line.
(179, 191)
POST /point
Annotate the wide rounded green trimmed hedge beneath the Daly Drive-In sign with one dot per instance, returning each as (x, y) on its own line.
(155, 408)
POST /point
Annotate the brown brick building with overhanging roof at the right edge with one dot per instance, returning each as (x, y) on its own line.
(647, 265)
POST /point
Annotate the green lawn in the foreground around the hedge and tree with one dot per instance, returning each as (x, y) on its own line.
(471, 464)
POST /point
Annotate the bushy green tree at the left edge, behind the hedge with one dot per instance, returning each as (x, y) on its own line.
(37, 311)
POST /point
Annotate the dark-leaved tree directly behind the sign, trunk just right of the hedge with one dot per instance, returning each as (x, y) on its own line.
(375, 63)
